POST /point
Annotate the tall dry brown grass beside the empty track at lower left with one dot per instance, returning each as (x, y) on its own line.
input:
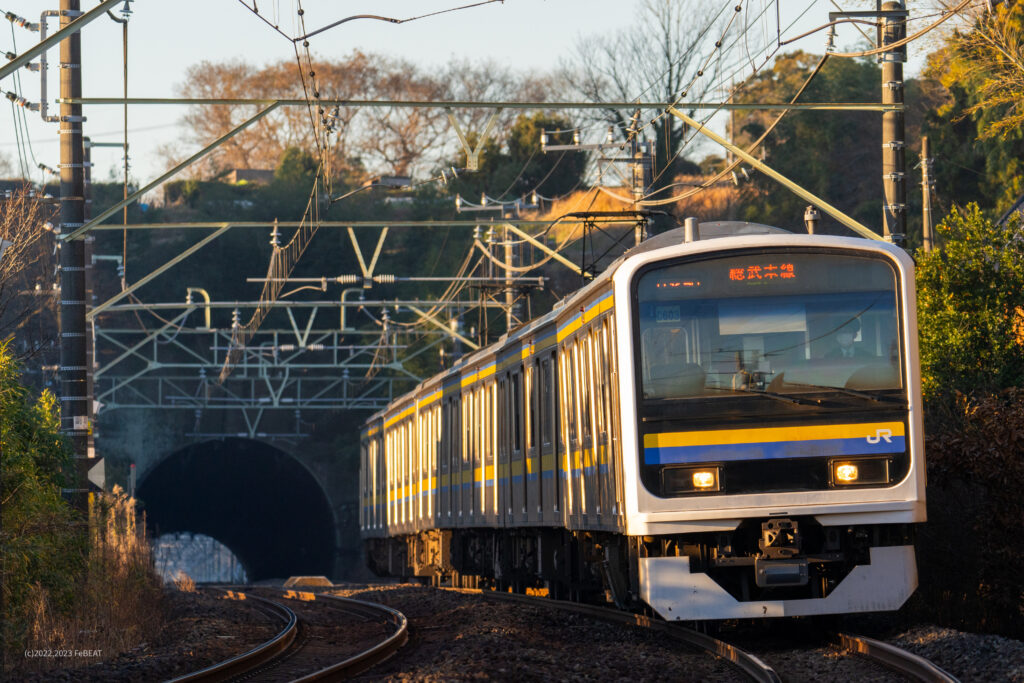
(117, 607)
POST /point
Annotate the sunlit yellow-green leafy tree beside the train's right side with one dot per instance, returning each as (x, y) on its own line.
(971, 307)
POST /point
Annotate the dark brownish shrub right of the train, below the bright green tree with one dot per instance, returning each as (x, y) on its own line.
(971, 573)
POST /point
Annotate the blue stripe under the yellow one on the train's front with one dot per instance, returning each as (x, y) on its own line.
(772, 451)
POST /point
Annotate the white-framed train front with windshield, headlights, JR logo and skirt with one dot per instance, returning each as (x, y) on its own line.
(773, 432)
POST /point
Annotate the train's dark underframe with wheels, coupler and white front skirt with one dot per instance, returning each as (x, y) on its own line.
(764, 568)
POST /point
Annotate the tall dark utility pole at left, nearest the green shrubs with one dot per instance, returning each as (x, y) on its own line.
(75, 400)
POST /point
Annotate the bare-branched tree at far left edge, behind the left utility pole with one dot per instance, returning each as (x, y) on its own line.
(28, 300)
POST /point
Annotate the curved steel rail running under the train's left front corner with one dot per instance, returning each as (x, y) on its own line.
(752, 666)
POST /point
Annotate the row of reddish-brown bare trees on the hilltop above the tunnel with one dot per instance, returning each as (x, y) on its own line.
(403, 142)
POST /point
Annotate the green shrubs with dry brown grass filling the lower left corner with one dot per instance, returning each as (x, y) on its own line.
(70, 582)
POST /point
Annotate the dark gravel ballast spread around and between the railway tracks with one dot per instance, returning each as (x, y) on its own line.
(457, 635)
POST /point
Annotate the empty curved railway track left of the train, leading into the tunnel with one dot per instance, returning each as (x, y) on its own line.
(314, 644)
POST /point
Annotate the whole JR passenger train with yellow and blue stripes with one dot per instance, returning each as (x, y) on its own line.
(726, 423)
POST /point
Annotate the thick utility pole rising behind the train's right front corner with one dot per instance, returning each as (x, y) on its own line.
(893, 131)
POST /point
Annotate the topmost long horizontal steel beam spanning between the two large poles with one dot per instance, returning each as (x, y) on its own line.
(244, 102)
